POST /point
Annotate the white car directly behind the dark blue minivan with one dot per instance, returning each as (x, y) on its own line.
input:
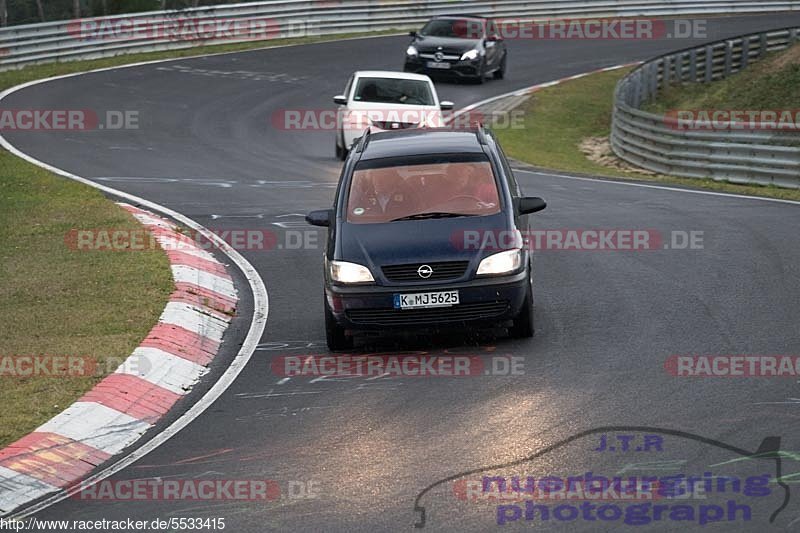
(382, 100)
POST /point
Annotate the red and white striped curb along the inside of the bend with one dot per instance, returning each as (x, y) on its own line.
(126, 404)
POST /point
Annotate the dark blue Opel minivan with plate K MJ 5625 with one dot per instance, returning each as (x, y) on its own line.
(427, 232)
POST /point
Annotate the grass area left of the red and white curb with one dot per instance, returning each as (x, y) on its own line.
(57, 301)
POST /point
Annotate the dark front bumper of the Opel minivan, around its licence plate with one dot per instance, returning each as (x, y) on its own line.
(483, 301)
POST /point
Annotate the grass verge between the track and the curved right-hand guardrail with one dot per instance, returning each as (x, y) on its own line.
(558, 119)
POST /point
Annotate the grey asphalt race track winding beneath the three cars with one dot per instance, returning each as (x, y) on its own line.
(606, 321)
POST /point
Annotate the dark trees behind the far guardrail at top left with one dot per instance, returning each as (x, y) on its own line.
(31, 11)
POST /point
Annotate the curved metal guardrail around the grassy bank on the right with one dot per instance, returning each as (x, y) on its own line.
(732, 151)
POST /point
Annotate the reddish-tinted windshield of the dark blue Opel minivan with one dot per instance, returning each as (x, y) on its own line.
(438, 189)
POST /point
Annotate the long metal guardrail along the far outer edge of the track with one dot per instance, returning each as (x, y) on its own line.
(153, 31)
